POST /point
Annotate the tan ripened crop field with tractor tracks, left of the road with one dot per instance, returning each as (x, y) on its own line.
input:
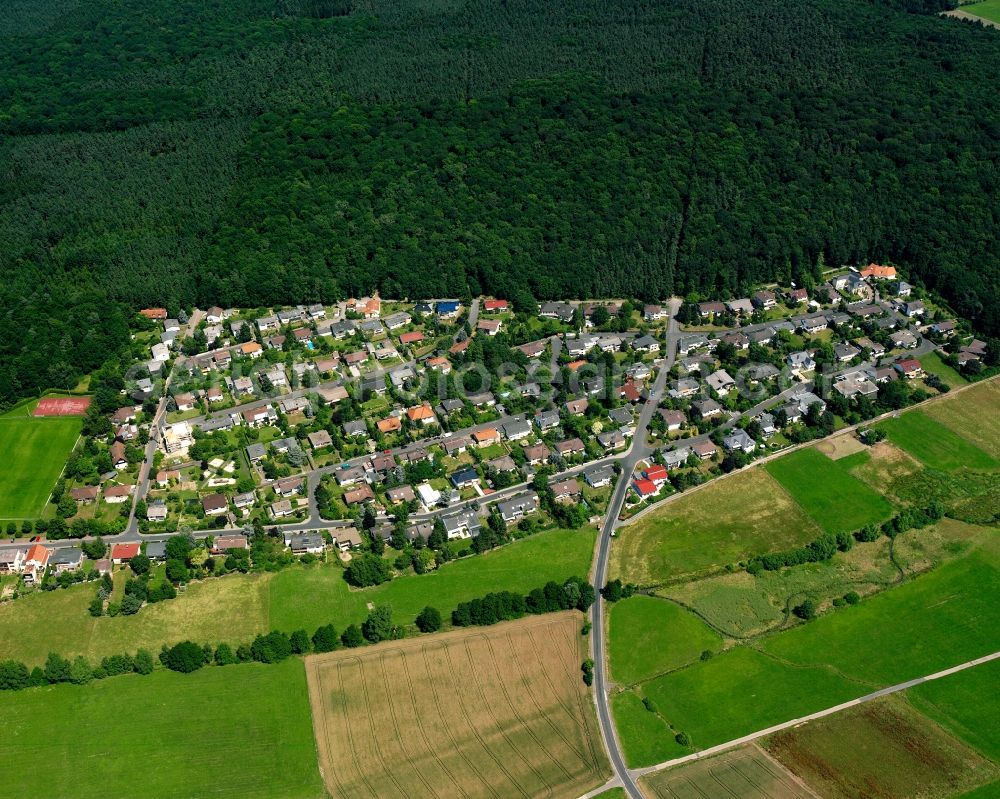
(495, 712)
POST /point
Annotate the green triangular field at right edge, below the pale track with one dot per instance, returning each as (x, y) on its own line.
(967, 704)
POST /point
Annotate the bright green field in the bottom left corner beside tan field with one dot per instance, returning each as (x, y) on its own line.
(238, 731)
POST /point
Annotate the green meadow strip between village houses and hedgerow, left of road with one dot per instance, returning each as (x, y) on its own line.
(520, 566)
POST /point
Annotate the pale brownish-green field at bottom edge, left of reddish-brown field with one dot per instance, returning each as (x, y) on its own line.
(744, 773)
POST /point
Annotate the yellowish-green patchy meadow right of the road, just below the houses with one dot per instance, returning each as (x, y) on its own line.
(742, 515)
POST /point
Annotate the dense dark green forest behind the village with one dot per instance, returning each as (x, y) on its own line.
(257, 151)
